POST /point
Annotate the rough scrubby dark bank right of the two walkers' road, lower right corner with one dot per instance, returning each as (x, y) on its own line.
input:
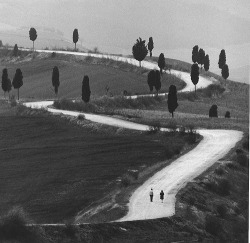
(221, 197)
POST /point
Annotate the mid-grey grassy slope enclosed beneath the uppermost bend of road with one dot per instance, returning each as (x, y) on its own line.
(118, 76)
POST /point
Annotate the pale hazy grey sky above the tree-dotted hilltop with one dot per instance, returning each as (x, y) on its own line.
(114, 25)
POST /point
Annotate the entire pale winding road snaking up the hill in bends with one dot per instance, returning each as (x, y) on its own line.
(214, 146)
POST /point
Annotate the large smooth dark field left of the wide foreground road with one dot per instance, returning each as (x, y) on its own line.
(53, 169)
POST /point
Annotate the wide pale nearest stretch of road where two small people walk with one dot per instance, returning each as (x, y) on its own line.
(214, 146)
